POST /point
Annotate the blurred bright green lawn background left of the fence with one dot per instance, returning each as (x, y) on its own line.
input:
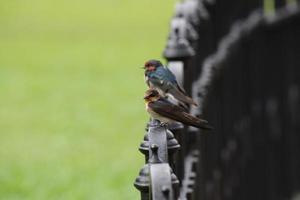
(71, 108)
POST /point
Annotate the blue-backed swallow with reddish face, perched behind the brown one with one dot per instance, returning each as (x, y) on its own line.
(164, 81)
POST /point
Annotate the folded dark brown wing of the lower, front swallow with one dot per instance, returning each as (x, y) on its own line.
(174, 112)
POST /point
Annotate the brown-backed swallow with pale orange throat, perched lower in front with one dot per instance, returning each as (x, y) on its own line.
(163, 110)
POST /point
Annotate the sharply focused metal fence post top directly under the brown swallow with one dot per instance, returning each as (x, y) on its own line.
(156, 179)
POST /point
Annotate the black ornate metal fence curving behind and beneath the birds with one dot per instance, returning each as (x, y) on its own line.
(243, 68)
